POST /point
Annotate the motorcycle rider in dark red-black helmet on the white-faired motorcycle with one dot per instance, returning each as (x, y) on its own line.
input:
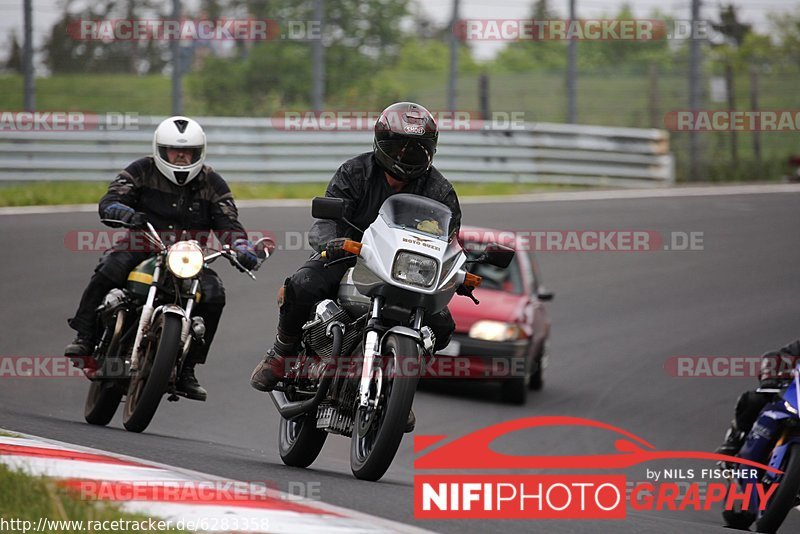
(400, 162)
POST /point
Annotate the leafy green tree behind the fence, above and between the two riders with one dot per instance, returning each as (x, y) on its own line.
(360, 38)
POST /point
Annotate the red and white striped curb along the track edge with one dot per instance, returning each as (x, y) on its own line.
(183, 497)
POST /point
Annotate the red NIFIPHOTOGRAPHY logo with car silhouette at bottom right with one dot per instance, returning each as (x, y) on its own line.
(484, 495)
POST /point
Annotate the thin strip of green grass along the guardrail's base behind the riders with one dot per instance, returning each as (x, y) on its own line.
(56, 193)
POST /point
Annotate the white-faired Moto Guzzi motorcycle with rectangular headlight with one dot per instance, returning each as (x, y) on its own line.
(361, 355)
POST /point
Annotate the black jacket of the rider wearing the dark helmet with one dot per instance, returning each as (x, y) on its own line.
(363, 186)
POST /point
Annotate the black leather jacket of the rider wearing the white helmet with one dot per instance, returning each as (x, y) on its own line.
(204, 204)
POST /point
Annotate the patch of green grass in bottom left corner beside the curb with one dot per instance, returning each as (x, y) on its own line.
(29, 498)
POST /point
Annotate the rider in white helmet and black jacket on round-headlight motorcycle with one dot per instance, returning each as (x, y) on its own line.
(177, 193)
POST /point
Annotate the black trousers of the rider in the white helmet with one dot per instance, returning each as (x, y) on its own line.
(112, 272)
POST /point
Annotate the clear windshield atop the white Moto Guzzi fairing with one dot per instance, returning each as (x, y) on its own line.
(417, 214)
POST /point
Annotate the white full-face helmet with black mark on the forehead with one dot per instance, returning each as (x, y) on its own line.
(179, 132)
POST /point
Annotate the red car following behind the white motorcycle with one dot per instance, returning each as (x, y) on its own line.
(505, 337)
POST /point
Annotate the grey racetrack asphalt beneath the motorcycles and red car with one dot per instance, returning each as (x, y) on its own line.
(617, 319)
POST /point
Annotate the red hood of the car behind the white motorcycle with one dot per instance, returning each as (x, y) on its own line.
(494, 306)
